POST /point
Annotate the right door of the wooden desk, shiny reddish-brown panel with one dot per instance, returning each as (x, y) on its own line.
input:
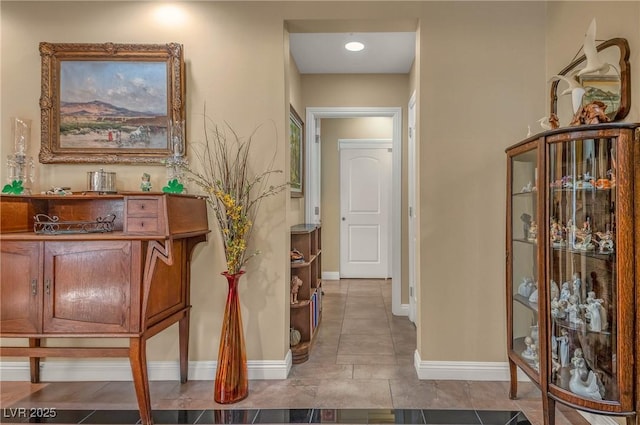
(87, 286)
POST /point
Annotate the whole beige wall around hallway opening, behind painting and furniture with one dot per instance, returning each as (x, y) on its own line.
(481, 80)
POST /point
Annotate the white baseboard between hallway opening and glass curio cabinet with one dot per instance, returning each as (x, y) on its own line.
(463, 371)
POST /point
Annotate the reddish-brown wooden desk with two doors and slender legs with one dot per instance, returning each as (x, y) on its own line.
(76, 280)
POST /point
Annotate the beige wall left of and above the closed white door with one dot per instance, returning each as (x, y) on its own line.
(334, 129)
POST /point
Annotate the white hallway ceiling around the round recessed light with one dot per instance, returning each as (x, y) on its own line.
(324, 53)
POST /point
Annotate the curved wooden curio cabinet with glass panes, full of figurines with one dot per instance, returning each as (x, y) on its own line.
(573, 258)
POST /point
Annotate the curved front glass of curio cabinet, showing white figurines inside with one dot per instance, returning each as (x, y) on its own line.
(582, 267)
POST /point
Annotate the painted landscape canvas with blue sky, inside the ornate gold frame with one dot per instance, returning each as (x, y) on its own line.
(113, 105)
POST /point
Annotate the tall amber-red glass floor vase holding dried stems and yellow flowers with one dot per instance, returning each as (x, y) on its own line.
(232, 383)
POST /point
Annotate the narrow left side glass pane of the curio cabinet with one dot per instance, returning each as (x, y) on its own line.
(523, 261)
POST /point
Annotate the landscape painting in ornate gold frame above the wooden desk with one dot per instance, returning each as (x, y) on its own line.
(110, 103)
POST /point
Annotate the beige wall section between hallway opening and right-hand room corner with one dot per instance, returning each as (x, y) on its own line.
(481, 82)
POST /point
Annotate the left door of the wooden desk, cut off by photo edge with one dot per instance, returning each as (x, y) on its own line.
(21, 287)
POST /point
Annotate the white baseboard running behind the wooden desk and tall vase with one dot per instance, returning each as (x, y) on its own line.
(120, 370)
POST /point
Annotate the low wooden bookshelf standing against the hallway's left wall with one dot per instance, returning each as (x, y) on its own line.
(307, 312)
